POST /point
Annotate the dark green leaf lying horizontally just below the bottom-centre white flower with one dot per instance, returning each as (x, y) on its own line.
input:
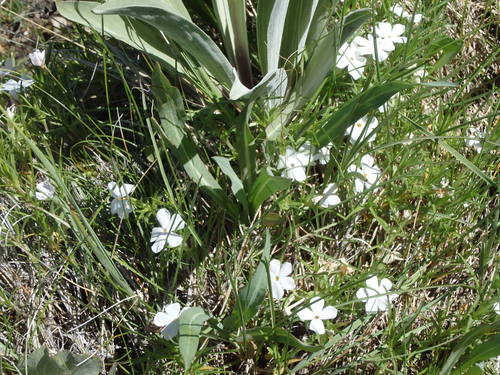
(275, 335)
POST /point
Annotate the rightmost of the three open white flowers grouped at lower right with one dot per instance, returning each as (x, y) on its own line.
(376, 294)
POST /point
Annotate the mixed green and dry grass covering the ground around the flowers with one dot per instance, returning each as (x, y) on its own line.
(89, 120)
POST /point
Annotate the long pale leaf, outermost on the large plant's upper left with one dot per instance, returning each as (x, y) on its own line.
(133, 32)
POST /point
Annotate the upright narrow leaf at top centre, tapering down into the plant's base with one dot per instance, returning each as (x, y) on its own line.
(231, 16)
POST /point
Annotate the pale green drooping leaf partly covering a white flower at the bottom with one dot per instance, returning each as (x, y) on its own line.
(190, 324)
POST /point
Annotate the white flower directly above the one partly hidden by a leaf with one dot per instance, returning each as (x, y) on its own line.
(165, 233)
